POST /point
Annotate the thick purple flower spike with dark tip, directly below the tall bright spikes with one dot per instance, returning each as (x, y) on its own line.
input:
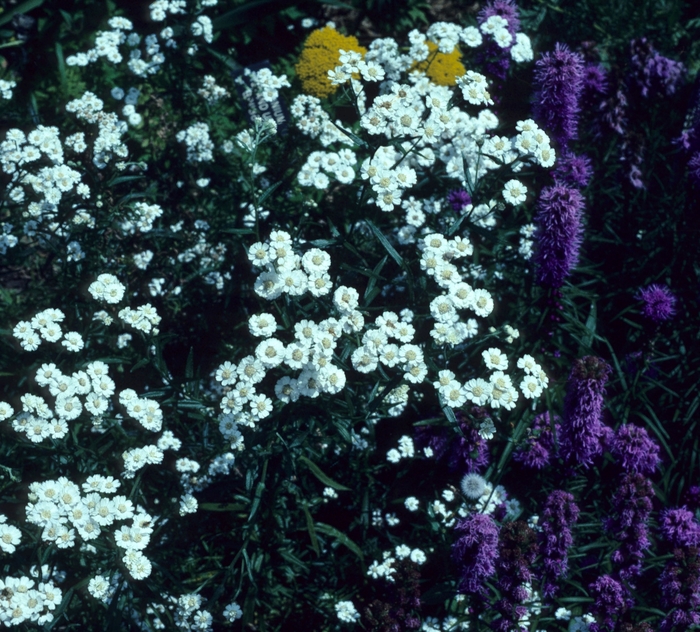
(582, 431)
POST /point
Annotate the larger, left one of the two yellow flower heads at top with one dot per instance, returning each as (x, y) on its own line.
(320, 54)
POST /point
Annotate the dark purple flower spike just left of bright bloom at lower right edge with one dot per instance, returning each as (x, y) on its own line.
(628, 524)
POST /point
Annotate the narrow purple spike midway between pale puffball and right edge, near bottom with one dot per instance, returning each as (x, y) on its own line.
(559, 515)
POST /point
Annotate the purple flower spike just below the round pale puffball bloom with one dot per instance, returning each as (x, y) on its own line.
(476, 552)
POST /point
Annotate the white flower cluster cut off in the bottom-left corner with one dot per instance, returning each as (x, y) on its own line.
(21, 601)
